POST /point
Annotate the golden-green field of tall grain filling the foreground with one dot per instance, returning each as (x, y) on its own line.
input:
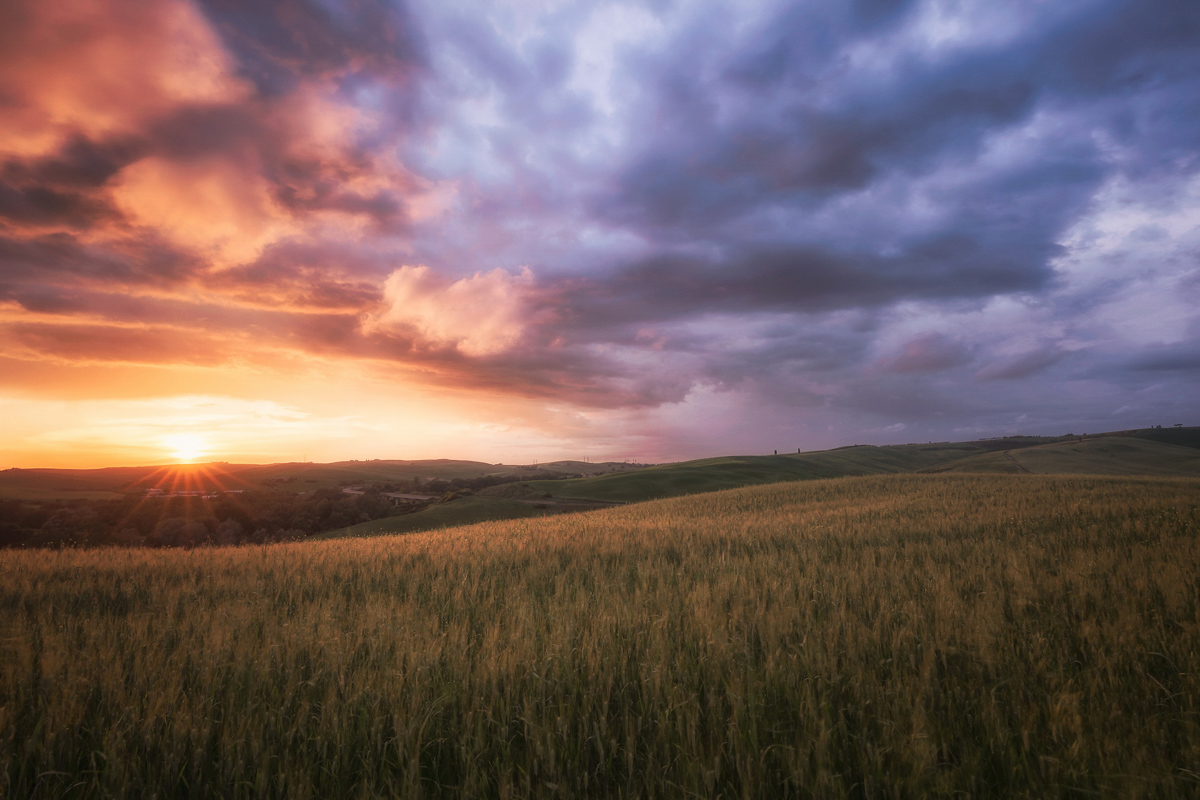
(872, 637)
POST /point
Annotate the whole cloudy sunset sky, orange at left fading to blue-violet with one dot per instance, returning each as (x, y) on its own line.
(507, 232)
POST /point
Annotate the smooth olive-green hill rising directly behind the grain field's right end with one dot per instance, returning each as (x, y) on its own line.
(1100, 456)
